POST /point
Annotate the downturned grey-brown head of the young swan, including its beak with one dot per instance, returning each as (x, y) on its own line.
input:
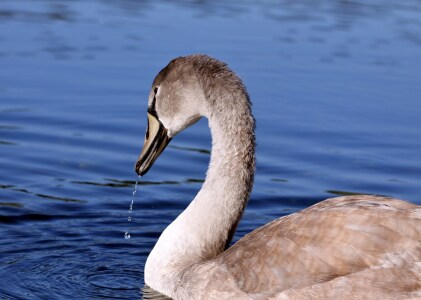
(175, 102)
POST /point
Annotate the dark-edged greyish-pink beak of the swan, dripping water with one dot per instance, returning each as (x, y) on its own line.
(156, 139)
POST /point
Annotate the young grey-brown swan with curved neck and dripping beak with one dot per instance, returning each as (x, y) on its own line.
(357, 247)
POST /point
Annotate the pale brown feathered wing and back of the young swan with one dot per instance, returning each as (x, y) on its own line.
(342, 244)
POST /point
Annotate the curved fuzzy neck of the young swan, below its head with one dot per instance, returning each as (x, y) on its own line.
(204, 229)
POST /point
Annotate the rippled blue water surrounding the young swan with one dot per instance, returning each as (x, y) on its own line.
(336, 91)
